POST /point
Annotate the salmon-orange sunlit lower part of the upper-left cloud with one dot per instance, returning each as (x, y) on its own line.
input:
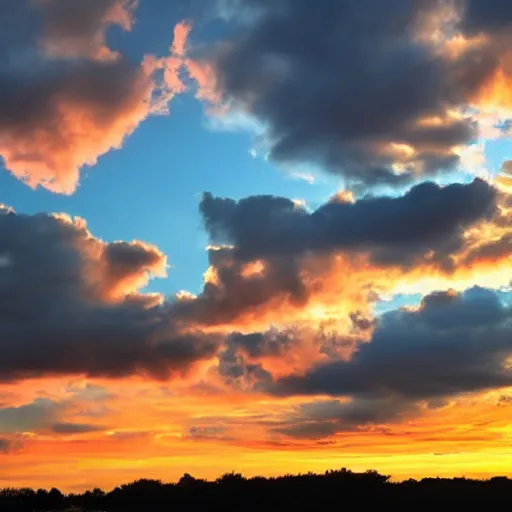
(83, 117)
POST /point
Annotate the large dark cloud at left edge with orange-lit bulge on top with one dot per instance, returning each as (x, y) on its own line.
(70, 304)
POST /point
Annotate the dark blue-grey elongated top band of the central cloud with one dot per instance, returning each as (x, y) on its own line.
(395, 230)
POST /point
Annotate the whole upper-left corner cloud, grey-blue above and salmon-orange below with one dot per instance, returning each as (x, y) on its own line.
(66, 98)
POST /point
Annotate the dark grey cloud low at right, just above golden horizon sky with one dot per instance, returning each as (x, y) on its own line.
(452, 344)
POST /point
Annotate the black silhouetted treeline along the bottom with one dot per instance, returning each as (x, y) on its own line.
(333, 490)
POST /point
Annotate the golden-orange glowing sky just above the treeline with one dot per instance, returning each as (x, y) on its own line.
(208, 435)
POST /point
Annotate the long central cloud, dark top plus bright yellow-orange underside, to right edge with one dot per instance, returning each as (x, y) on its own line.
(272, 261)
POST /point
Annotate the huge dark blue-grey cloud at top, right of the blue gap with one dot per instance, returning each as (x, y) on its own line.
(345, 84)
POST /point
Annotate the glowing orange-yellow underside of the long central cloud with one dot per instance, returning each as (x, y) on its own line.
(329, 288)
